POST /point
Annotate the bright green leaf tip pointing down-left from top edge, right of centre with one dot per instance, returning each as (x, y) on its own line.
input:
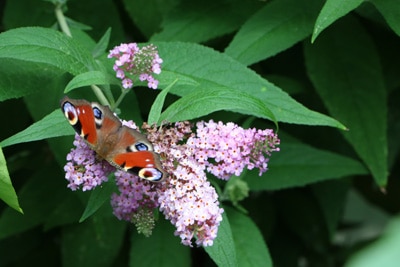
(332, 11)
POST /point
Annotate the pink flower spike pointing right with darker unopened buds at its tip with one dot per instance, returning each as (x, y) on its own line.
(226, 149)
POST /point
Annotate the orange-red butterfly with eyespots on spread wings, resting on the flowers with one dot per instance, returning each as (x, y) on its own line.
(121, 146)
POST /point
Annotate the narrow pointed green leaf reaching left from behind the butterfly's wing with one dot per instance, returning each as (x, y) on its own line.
(53, 125)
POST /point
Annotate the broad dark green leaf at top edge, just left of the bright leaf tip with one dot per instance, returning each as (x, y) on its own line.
(274, 28)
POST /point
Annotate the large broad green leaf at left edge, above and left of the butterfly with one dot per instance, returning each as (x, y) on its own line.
(40, 55)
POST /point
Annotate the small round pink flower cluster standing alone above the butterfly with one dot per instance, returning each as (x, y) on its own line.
(132, 62)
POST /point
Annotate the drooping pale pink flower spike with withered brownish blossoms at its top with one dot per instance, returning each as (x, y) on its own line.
(186, 198)
